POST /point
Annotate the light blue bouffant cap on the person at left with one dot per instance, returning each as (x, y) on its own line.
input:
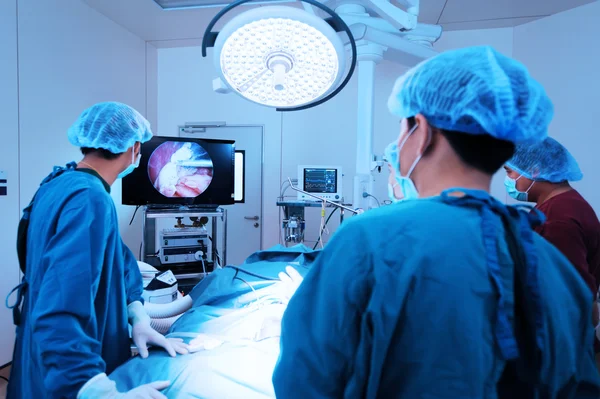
(112, 126)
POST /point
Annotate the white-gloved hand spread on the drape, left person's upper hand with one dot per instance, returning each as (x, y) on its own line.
(143, 334)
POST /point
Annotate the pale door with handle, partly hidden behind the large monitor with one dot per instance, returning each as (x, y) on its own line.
(244, 220)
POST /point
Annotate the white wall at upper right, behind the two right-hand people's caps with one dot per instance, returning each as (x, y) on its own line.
(563, 53)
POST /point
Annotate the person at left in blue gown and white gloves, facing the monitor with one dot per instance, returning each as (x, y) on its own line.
(82, 286)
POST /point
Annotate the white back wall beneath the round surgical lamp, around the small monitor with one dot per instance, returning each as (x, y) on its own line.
(323, 135)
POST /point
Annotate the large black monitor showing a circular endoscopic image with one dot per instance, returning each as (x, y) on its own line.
(183, 171)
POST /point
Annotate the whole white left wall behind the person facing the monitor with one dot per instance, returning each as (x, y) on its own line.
(69, 57)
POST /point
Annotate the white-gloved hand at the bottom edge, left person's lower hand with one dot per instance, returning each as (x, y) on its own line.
(103, 387)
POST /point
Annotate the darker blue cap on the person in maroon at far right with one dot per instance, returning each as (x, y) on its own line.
(546, 161)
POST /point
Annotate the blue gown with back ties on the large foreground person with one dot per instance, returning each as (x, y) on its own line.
(402, 303)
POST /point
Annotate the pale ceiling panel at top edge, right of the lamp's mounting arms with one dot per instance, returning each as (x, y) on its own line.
(479, 10)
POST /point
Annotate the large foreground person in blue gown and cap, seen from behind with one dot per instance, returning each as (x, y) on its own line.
(448, 293)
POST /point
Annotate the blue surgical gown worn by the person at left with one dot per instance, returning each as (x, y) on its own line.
(81, 277)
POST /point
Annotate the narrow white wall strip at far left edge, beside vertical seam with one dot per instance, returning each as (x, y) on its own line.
(9, 163)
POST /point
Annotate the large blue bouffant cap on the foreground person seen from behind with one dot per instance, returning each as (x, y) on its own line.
(475, 90)
